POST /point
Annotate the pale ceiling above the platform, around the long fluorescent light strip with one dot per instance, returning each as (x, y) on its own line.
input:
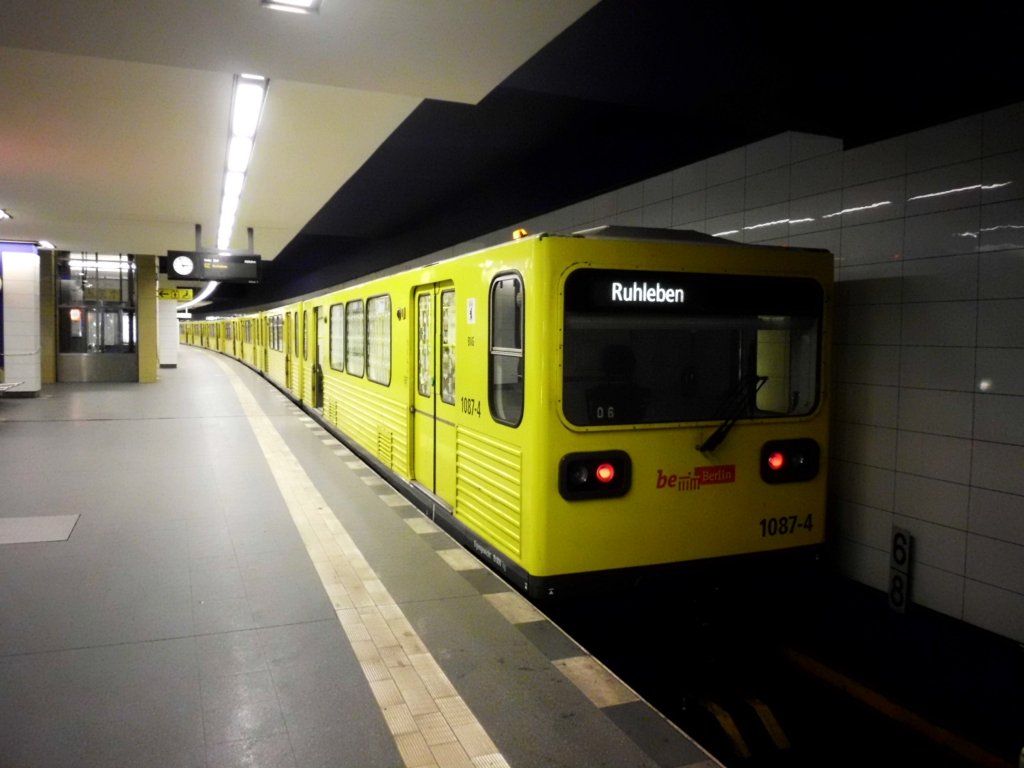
(114, 116)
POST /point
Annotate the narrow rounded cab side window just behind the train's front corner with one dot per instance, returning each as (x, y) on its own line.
(506, 375)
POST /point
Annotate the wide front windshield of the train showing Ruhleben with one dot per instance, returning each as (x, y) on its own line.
(645, 348)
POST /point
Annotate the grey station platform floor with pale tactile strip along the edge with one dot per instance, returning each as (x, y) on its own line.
(194, 573)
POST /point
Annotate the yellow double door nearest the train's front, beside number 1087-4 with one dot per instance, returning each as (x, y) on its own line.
(434, 417)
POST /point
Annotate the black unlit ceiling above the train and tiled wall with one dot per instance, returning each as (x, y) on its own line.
(641, 88)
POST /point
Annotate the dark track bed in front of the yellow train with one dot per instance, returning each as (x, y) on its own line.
(732, 669)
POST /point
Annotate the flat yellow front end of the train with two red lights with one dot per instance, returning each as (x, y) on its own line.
(688, 406)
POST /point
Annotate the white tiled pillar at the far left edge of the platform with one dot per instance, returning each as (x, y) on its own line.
(21, 319)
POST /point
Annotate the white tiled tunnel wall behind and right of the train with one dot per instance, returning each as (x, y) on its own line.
(928, 233)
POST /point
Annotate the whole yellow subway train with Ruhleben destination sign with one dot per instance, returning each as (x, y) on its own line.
(578, 408)
